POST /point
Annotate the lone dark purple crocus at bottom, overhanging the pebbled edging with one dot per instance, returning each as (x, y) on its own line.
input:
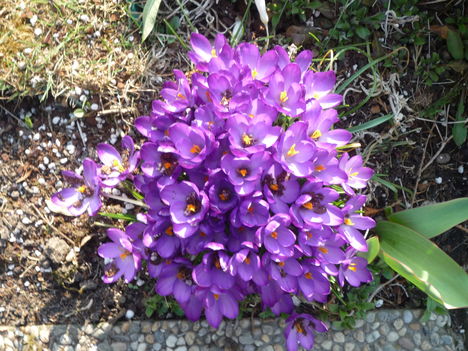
(300, 329)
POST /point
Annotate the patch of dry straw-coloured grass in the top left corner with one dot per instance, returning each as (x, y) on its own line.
(73, 43)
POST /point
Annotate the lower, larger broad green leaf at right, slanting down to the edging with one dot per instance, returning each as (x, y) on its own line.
(422, 263)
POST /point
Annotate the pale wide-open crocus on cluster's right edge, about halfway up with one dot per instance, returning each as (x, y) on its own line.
(357, 175)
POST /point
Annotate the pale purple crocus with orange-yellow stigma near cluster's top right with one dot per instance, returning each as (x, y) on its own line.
(285, 91)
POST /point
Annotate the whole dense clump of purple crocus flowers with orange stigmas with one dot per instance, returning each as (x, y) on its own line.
(246, 187)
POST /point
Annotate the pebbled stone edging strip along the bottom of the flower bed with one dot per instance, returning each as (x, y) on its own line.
(384, 330)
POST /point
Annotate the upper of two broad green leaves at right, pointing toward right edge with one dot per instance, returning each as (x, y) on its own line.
(433, 220)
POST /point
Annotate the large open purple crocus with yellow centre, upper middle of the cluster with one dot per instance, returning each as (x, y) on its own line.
(250, 136)
